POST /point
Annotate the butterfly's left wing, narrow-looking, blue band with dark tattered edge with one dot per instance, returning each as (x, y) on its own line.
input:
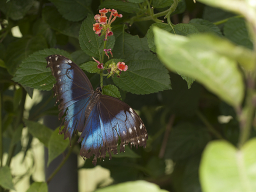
(73, 90)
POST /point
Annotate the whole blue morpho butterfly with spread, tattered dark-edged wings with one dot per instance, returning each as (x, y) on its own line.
(102, 119)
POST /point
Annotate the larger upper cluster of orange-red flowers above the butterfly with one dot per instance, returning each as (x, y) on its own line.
(103, 24)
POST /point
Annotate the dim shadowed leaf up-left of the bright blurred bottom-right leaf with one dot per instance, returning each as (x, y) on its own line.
(186, 139)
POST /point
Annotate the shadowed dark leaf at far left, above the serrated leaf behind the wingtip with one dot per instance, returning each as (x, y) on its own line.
(19, 50)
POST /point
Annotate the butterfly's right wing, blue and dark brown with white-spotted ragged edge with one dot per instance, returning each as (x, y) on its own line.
(109, 121)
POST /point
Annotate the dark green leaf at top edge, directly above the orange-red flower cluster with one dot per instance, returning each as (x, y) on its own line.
(120, 6)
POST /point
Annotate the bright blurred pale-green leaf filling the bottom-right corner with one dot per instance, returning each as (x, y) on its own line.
(225, 168)
